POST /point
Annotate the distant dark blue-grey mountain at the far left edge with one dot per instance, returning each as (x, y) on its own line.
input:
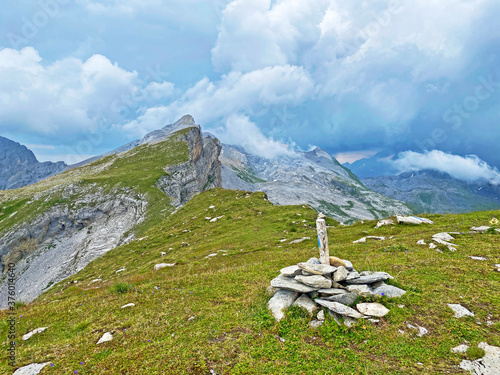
(19, 166)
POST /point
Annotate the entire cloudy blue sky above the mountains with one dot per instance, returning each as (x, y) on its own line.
(356, 78)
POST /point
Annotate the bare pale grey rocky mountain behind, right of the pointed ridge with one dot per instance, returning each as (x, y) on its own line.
(313, 178)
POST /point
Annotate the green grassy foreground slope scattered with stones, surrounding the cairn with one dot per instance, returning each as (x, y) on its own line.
(211, 313)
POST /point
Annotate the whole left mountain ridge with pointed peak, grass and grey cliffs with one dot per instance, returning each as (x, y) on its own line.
(53, 229)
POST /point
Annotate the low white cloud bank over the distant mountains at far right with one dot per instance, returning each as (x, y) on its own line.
(469, 168)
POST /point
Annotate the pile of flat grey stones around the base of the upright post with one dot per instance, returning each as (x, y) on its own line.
(332, 288)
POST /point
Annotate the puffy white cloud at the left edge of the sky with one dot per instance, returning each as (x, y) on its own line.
(68, 96)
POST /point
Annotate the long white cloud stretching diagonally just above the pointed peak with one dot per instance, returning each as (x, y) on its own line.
(234, 93)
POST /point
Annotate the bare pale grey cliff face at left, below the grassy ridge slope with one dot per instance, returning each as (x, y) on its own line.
(63, 240)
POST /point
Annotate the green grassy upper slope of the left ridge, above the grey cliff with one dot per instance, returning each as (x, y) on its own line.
(136, 170)
